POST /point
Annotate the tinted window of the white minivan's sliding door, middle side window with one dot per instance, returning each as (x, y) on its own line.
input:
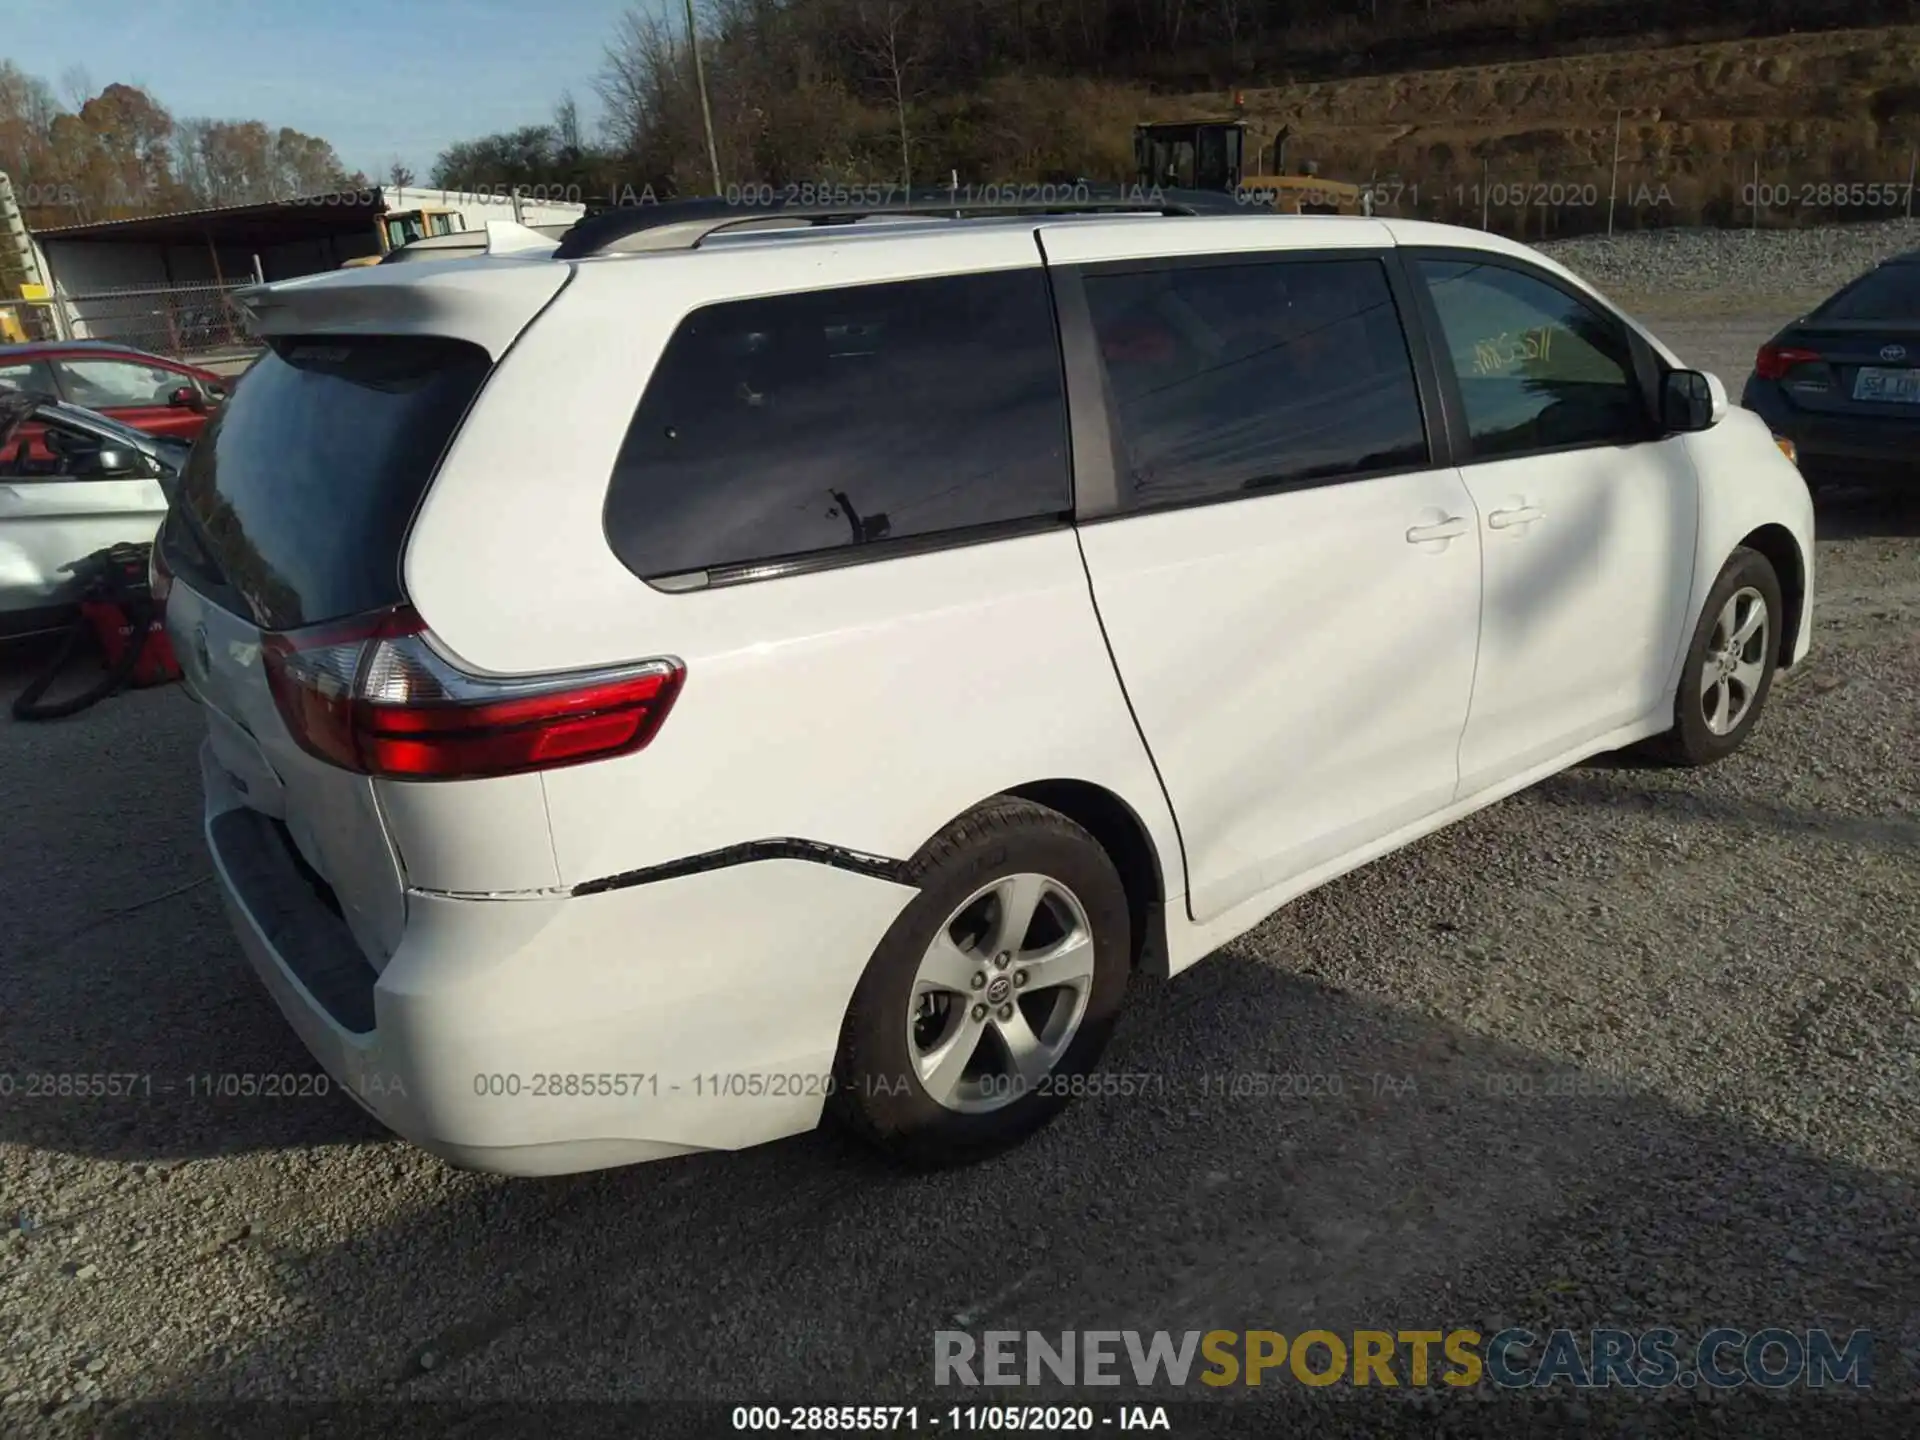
(1234, 379)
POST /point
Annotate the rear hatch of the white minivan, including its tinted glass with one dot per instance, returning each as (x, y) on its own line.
(293, 512)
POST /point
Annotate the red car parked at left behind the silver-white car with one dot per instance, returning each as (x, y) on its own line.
(128, 385)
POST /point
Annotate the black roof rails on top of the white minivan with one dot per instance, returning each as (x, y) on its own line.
(684, 224)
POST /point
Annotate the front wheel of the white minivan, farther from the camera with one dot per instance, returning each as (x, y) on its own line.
(1729, 667)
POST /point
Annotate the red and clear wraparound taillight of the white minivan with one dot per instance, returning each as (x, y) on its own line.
(373, 696)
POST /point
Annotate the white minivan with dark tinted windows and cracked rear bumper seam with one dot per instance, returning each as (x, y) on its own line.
(732, 667)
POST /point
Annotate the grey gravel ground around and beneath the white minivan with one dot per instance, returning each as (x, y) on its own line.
(1637, 1047)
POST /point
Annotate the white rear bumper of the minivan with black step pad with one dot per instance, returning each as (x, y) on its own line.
(554, 1034)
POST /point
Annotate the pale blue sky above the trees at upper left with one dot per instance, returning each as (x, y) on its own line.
(375, 78)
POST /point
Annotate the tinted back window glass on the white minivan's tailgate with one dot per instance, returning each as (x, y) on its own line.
(306, 481)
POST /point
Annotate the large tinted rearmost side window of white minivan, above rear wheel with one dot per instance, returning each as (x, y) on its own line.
(802, 425)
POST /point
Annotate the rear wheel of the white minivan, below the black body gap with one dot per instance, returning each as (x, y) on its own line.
(990, 994)
